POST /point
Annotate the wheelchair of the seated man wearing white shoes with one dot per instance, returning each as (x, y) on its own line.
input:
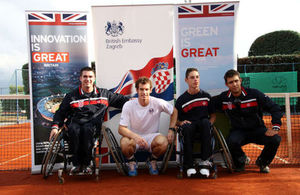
(220, 155)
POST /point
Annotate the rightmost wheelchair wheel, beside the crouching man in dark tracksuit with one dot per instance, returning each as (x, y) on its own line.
(224, 149)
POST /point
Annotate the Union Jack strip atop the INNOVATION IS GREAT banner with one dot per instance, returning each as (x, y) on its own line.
(66, 19)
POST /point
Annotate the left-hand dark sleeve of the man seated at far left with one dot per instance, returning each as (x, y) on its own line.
(62, 113)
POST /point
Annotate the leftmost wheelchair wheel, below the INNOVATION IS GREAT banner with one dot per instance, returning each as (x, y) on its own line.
(50, 156)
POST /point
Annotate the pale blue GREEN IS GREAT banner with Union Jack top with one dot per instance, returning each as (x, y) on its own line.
(205, 40)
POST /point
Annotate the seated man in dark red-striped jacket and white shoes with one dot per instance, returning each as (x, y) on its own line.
(195, 114)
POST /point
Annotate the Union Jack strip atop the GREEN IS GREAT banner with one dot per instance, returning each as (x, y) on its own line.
(206, 10)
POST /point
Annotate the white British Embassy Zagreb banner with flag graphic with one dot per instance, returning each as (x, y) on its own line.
(130, 42)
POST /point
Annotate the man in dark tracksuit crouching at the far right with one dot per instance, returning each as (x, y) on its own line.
(244, 107)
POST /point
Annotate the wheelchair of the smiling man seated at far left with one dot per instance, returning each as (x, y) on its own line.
(59, 152)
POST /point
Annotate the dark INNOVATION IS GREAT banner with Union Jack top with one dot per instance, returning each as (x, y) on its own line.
(58, 49)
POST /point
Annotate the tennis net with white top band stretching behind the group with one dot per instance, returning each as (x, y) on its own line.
(15, 133)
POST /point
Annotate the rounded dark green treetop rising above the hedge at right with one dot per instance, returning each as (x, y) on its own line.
(276, 43)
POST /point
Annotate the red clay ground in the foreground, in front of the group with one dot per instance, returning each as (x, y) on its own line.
(279, 181)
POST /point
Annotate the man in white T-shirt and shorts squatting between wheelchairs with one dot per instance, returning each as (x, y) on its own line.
(139, 125)
